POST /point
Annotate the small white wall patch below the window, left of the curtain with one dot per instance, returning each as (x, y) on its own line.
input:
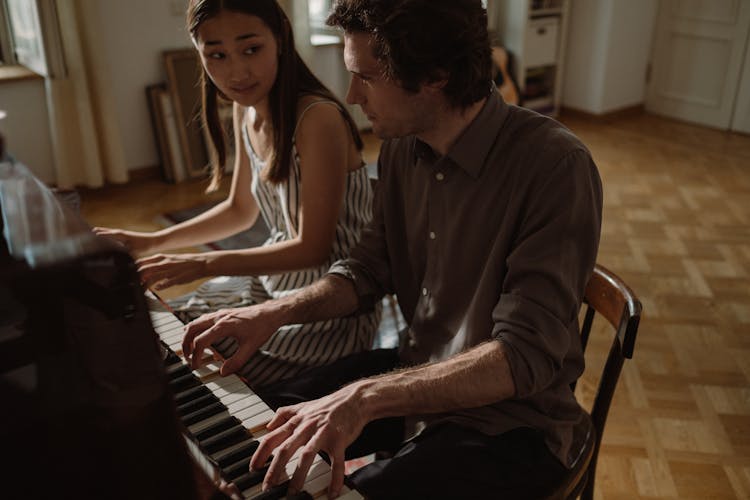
(25, 128)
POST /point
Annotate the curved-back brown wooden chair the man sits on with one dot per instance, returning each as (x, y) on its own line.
(609, 296)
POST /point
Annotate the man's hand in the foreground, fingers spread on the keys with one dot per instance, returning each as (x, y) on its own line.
(328, 424)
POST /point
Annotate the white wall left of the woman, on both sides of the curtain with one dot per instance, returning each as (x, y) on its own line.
(131, 36)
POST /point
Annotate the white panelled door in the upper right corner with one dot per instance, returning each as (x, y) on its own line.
(698, 52)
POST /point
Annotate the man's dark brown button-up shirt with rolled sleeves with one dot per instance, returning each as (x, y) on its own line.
(494, 240)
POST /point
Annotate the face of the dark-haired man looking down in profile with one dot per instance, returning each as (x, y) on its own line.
(393, 111)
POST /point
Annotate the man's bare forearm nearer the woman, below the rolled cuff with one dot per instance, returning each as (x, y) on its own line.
(330, 297)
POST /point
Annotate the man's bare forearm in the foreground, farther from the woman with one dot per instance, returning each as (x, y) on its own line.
(473, 378)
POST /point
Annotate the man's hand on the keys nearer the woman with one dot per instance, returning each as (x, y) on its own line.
(251, 326)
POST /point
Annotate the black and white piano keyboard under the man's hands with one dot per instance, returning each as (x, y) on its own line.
(225, 420)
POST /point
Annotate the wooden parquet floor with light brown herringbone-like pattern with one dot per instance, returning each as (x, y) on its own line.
(677, 230)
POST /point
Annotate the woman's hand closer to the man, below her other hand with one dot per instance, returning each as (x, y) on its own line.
(164, 270)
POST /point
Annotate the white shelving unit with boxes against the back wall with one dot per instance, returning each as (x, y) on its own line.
(534, 32)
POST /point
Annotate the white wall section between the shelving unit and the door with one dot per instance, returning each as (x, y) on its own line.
(608, 49)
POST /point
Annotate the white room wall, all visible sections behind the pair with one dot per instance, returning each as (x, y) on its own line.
(608, 47)
